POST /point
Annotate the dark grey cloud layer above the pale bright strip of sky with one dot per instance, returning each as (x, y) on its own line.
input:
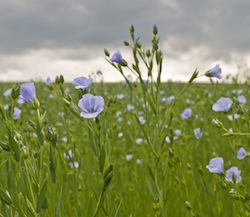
(88, 26)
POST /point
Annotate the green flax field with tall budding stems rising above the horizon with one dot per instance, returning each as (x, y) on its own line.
(139, 157)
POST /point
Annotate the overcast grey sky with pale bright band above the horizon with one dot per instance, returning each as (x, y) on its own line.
(41, 38)
